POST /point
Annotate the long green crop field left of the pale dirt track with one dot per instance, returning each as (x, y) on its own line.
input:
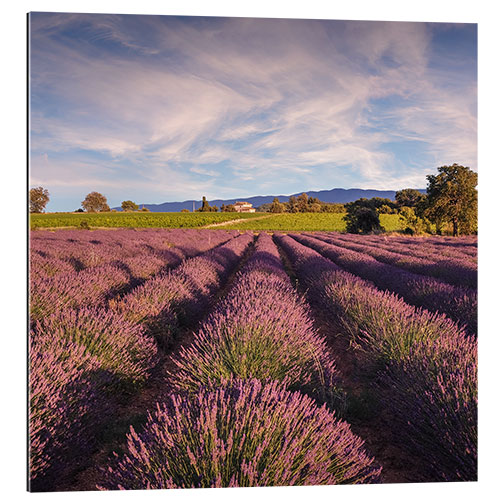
(134, 219)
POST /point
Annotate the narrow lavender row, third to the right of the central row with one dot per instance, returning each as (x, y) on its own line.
(454, 270)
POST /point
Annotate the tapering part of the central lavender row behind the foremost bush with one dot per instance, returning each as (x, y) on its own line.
(263, 330)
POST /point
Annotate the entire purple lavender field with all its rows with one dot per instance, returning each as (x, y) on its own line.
(181, 358)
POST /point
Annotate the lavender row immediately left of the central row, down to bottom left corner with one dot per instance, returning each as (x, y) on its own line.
(84, 357)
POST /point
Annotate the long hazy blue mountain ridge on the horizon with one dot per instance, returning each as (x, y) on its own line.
(336, 195)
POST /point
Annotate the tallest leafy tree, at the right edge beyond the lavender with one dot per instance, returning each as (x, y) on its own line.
(452, 198)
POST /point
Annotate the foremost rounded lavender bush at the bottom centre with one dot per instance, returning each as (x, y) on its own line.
(244, 433)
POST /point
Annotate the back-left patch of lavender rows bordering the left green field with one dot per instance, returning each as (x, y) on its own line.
(125, 258)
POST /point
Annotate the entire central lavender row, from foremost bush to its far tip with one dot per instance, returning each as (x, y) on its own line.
(234, 419)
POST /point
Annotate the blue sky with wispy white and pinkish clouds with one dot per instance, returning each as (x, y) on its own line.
(162, 108)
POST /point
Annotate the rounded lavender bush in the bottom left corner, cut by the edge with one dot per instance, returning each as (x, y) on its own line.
(66, 403)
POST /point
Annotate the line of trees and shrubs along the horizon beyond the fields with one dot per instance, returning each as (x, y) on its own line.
(450, 201)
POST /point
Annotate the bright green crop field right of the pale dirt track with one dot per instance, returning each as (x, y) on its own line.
(310, 222)
